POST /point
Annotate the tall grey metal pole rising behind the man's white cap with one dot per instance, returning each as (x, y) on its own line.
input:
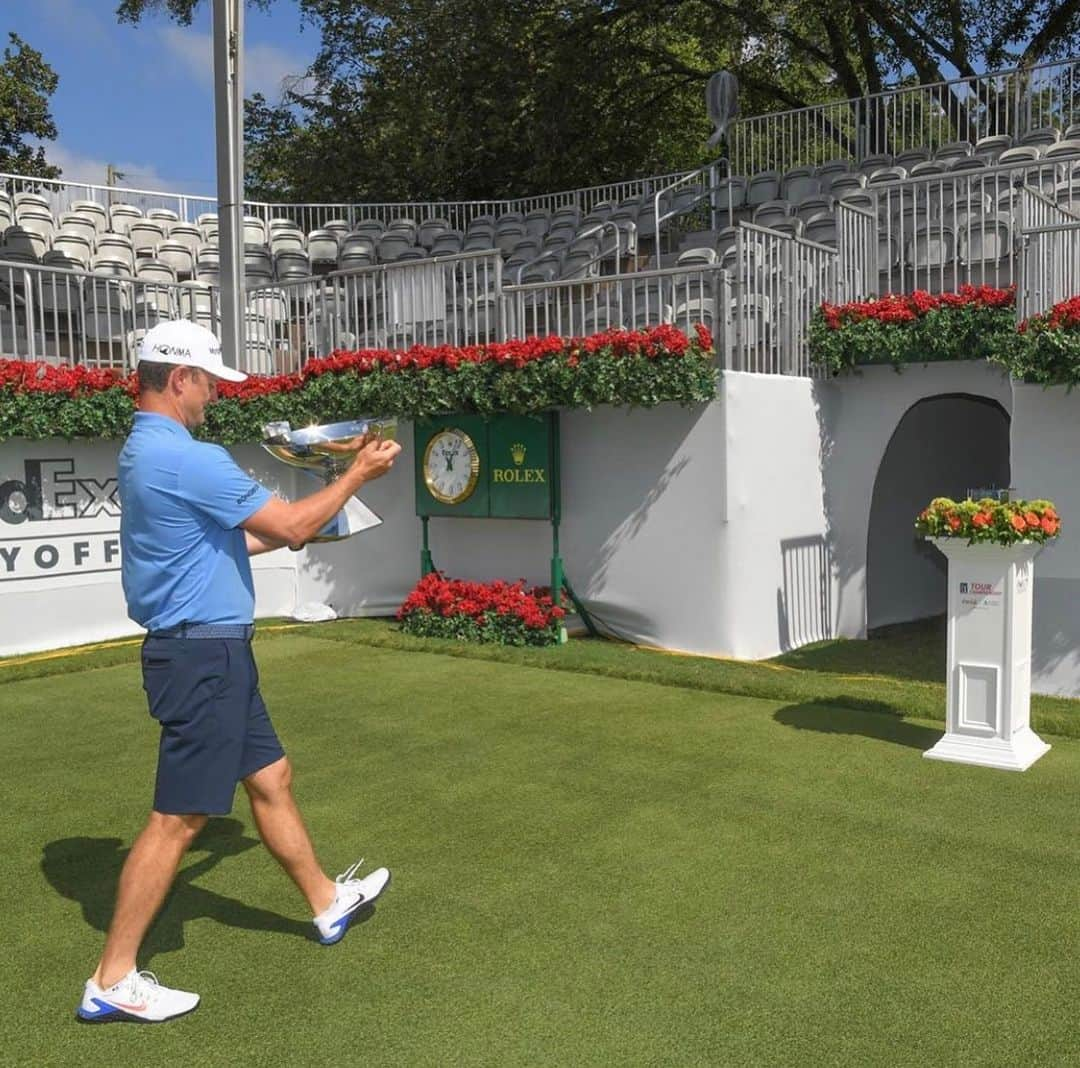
(229, 126)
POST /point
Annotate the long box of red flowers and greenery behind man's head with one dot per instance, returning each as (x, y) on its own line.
(619, 368)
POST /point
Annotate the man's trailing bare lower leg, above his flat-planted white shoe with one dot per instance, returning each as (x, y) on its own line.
(147, 875)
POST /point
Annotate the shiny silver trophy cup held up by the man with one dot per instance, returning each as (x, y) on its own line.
(325, 453)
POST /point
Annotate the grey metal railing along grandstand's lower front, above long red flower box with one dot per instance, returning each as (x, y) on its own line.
(759, 316)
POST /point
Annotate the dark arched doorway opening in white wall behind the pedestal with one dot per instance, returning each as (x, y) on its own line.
(943, 447)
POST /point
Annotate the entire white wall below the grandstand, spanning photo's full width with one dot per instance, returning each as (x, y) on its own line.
(736, 529)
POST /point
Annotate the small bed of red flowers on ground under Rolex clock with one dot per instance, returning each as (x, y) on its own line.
(503, 613)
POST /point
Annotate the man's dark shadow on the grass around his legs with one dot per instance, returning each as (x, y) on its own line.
(88, 870)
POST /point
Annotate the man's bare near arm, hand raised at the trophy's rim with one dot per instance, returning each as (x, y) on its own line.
(283, 523)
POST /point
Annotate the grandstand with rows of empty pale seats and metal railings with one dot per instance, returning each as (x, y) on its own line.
(809, 214)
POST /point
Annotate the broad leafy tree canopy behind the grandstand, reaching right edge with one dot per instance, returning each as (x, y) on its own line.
(416, 100)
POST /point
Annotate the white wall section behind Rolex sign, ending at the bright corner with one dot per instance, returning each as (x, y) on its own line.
(641, 537)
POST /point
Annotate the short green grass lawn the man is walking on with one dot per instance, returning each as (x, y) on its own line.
(617, 862)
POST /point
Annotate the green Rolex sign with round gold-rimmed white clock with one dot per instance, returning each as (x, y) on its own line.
(504, 468)
